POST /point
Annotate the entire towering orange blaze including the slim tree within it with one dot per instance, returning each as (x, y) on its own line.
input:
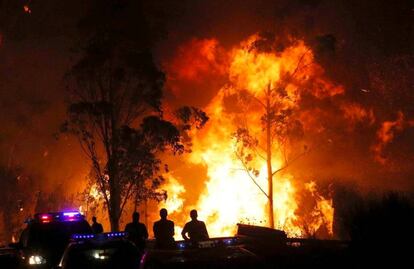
(254, 134)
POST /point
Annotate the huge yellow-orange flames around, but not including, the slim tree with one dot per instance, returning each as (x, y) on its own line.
(230, 197)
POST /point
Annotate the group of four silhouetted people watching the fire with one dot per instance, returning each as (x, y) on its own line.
(194, 230)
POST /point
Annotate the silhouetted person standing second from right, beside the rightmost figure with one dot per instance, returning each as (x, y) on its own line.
(164, 231)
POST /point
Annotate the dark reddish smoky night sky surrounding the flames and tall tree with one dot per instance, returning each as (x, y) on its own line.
(35, 52)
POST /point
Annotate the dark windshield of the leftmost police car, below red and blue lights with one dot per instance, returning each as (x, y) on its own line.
(55, 233)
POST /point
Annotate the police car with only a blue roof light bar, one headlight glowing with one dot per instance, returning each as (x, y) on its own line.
(100, 251)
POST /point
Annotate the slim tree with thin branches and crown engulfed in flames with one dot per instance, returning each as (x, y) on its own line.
(268, 79)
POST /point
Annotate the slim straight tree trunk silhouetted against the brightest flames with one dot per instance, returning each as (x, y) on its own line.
(269, 159)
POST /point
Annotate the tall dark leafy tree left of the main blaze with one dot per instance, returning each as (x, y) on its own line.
(115, 106)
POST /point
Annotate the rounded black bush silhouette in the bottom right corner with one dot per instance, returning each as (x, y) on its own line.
(382, 230)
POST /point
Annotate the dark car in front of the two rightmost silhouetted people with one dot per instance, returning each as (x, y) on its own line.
(214, 253)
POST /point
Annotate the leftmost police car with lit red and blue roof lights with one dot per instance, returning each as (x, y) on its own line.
(46, 236)
